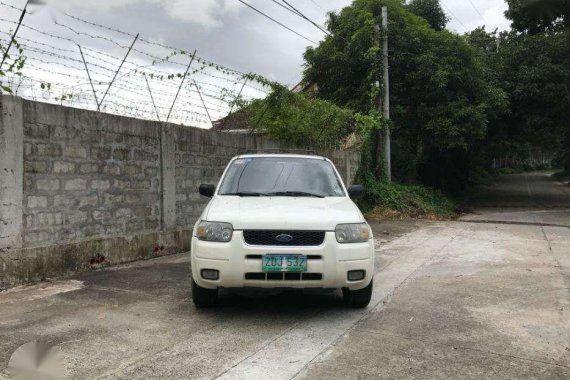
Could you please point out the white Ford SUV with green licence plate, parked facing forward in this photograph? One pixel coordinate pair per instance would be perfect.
(282, 221)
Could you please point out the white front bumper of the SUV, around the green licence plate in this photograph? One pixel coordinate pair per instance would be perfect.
(327, 264)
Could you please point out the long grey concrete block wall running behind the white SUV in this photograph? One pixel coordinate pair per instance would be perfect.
(77, 186)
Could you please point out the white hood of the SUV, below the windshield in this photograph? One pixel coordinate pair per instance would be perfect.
(283, 213)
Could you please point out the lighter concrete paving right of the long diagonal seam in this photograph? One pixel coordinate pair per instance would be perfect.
(490, 304)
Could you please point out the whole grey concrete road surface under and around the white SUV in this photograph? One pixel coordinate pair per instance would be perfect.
(451, 300)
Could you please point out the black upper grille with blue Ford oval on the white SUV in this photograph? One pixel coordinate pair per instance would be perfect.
(270, 237)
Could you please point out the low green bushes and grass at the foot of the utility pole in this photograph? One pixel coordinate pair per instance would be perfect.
(396, 201)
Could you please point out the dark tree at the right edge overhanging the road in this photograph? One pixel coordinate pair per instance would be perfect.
(532, 66)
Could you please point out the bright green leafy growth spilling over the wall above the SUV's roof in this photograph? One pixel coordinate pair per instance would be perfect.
(302, 120)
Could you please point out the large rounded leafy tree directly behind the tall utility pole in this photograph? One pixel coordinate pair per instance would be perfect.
(441, 100)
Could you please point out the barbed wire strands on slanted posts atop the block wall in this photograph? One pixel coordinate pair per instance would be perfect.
(55, 71)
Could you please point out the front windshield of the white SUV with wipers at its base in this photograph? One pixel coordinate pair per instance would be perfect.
(281, 176)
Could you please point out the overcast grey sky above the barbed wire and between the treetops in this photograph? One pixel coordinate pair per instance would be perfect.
(228, 32)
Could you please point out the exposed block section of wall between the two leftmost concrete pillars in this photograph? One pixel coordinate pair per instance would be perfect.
(87, 175)
